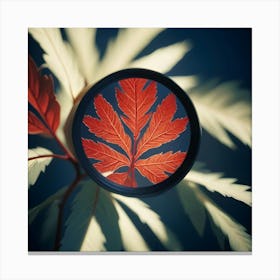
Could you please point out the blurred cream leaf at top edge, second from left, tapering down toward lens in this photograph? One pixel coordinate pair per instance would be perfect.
(83, 42)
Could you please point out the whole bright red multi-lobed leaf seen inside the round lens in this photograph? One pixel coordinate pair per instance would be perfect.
(149, 130)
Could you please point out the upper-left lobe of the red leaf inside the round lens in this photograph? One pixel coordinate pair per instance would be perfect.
(108, 126)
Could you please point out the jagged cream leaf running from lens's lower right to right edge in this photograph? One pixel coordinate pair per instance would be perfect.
(214, 182)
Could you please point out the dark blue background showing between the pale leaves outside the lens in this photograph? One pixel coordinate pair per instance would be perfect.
(223, 54)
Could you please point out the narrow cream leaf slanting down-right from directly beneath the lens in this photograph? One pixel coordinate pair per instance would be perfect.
(152, 219)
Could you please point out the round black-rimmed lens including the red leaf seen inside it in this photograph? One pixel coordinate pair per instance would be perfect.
(136, 133)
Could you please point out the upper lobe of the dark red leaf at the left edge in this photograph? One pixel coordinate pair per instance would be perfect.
(41, 96)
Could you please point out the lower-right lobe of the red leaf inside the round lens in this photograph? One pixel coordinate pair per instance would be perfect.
(155, 167)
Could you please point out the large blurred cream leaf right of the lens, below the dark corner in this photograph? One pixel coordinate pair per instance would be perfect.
(224, 108)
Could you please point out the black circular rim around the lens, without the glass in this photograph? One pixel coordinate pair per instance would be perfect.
(192, 151)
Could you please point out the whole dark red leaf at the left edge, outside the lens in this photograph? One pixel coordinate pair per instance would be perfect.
(41, 97)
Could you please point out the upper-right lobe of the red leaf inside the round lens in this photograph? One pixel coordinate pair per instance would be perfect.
(162, 129)
